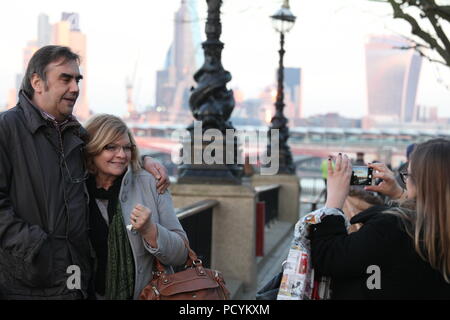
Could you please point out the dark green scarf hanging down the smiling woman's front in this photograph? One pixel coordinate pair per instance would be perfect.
(120, 268)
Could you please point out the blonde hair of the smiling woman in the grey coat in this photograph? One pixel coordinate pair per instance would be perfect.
(104, 129)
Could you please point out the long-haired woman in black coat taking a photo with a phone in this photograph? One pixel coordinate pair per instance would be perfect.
(399, 252)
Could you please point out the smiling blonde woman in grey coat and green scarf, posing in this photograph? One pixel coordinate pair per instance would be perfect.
(122, 194)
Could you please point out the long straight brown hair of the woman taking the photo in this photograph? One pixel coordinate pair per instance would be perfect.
(429, 223)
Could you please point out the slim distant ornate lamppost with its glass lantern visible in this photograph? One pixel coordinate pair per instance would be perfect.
(283, 21)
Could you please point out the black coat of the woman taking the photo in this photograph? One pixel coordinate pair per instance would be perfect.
(381, 242)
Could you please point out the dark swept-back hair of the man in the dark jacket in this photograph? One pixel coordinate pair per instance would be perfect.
(39, 62)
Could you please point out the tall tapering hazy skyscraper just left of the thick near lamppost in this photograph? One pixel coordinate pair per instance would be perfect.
(183, 59)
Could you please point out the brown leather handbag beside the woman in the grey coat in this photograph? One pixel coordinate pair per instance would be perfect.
(193, 283)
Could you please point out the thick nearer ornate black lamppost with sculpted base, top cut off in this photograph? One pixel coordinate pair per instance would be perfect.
(211, 104)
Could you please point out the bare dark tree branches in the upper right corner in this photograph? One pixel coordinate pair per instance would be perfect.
(426, 39)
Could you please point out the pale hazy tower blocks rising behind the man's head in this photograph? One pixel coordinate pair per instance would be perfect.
(66, 33)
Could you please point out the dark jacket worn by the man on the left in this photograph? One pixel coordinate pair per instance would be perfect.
(43, 206)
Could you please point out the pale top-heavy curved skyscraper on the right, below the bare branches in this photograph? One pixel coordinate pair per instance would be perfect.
(392, 80)
